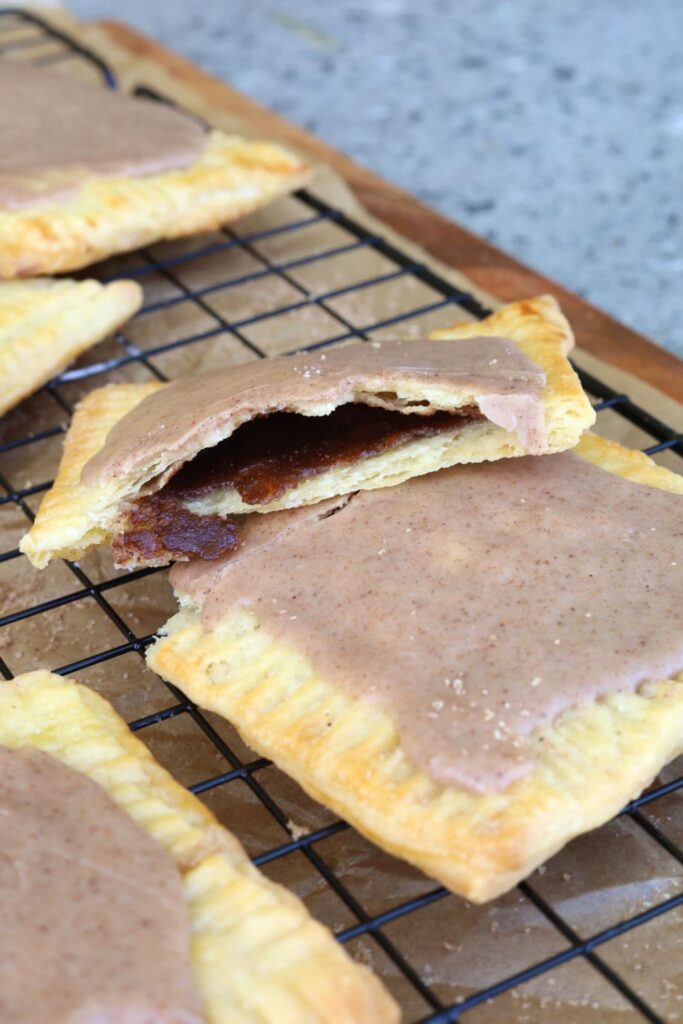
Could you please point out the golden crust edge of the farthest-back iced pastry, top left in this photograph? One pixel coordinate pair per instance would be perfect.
(111, 216)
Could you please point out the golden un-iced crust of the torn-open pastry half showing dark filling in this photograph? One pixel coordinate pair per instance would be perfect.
(73, 516)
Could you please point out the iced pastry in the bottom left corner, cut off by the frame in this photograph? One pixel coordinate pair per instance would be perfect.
(189, 932)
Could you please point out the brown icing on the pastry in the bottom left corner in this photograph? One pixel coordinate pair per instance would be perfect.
(95, 922)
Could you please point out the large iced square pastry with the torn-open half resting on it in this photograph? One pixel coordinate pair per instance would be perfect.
(473, 668)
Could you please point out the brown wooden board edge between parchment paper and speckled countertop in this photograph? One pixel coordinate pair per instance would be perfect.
(488, 267)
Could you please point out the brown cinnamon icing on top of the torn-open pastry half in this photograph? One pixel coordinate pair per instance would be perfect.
(170, 426)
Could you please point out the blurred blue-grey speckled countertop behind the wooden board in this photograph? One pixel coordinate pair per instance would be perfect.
(553, 129)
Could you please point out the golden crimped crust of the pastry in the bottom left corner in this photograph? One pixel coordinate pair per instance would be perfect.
(258, 956)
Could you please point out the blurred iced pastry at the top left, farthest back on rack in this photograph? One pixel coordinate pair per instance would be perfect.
(87, 173)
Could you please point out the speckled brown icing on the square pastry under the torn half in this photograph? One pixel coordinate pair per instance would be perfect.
(473, 605)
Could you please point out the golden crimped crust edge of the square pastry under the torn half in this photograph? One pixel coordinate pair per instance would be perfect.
(348, 754)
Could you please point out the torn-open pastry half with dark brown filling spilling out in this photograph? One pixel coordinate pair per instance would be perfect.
(159, 471)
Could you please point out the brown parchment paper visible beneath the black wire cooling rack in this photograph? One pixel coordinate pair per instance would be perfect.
(457, 949)
